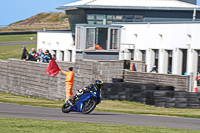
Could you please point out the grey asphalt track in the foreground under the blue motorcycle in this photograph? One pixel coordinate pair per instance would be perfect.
(30, 112)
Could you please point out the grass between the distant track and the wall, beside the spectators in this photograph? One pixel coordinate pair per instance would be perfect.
(13, 51)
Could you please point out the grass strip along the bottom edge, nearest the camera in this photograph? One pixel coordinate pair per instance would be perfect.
(13, 125)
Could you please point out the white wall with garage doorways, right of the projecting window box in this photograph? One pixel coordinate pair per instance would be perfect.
(173, 46)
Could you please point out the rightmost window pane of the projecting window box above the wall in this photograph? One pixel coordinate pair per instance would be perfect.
(114, 38)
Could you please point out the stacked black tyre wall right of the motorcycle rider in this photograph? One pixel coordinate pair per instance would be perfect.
(150, 94)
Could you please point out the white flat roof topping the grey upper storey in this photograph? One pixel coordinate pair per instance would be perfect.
(131, 4)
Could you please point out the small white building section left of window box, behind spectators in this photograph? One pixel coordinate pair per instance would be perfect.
(57, 42)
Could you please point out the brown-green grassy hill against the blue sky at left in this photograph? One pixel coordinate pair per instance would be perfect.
(41, 21)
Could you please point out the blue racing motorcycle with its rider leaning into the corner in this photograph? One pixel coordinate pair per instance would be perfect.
(85, 100)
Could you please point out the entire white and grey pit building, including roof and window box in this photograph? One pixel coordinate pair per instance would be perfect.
(160, 32)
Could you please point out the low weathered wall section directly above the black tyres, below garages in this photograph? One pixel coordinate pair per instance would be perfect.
(180, 83)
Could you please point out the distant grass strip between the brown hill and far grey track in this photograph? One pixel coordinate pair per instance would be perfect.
(17, 38)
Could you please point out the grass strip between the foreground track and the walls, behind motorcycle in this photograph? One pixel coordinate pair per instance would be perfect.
(105, 106)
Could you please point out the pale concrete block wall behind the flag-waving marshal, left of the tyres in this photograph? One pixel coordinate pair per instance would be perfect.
(29, 78)
